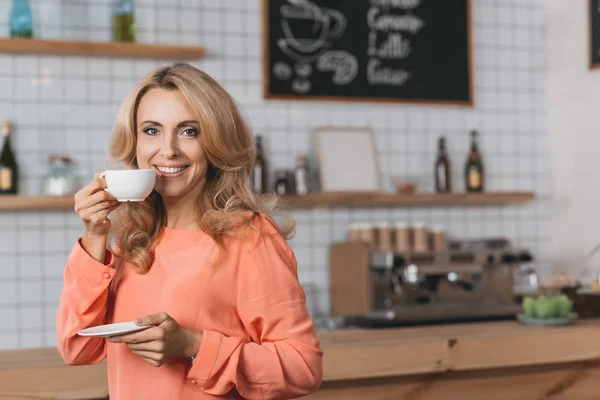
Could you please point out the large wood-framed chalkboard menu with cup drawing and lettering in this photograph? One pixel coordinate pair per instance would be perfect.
(416, 51)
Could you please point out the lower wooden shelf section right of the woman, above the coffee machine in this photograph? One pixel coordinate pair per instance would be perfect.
(367, 199)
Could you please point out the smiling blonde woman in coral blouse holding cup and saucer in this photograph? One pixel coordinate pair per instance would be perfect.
(198, 260)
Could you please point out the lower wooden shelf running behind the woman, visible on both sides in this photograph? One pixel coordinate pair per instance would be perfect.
(317, 200)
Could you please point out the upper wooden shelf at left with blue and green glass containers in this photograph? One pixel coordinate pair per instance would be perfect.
(22, 39)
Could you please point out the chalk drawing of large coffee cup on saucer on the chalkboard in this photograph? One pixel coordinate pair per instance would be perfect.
(309, 29)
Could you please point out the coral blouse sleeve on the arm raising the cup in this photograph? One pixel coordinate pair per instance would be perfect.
(83, 304)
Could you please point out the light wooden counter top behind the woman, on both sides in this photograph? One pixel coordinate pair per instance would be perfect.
(349, 354)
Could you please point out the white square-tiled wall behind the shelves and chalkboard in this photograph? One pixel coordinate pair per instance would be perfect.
(67, 105)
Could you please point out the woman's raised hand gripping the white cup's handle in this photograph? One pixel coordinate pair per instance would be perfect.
(93, 204)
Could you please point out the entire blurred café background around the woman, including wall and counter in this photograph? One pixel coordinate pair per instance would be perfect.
(438, 156)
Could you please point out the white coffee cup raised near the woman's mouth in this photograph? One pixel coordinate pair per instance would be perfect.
(130, 184)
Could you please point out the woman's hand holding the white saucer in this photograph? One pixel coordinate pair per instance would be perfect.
(163, 342)
